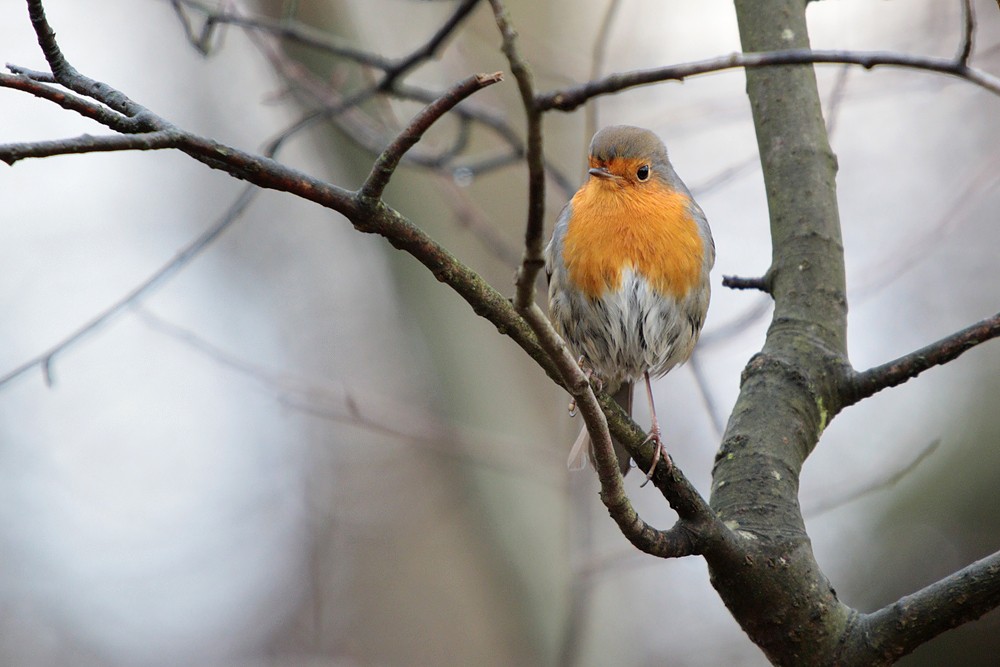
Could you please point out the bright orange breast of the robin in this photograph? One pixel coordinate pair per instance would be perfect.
(647, 228)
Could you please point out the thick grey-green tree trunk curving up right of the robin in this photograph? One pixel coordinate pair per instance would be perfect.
(778, 593)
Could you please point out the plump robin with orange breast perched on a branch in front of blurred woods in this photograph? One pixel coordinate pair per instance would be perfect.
(628, 269)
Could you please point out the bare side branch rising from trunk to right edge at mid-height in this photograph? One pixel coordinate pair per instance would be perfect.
(864, 384)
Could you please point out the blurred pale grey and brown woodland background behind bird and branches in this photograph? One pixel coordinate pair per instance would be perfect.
(300, 449)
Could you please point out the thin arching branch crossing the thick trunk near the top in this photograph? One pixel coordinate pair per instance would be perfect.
(568, 99)
